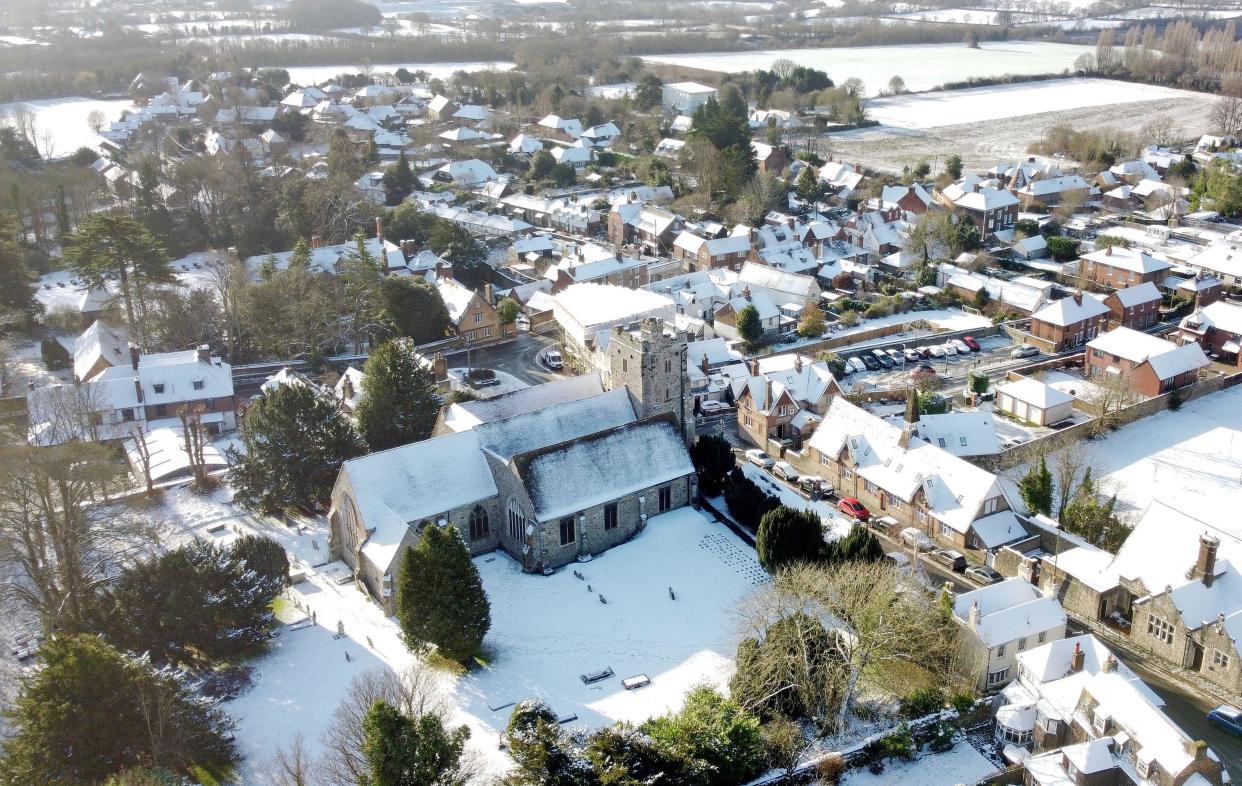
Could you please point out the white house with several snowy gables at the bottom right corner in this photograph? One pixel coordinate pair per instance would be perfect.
(1095, 722)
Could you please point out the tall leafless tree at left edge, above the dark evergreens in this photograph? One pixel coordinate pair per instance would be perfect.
(57, 542)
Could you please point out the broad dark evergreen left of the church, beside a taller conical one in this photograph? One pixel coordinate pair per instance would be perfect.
(295, 441)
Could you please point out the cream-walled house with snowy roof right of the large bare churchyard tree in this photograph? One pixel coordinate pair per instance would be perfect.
(1005, 620)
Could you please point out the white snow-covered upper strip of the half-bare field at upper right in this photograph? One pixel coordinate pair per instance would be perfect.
(1005, 101)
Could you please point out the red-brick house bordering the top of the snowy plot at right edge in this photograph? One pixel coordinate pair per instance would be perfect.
(1153, 366)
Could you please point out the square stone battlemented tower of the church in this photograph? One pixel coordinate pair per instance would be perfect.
(651, 364)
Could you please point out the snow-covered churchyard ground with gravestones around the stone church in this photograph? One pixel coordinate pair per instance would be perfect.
(546, 631)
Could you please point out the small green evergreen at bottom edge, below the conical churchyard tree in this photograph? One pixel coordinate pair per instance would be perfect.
(412, 752)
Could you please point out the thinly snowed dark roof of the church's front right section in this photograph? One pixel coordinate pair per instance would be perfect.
(569, 479)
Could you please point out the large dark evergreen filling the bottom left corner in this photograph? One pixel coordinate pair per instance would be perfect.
(89, 713)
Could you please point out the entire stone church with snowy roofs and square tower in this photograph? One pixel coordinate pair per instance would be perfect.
(551, 474)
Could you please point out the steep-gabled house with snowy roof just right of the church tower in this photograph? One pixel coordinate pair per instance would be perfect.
(782, 399)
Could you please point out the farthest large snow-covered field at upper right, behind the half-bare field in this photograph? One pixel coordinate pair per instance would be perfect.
(923, 66)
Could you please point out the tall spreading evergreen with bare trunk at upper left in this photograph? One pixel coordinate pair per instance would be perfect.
(111, 246)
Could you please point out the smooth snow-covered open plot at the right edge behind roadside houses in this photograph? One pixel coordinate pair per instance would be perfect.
(1190, 459)
